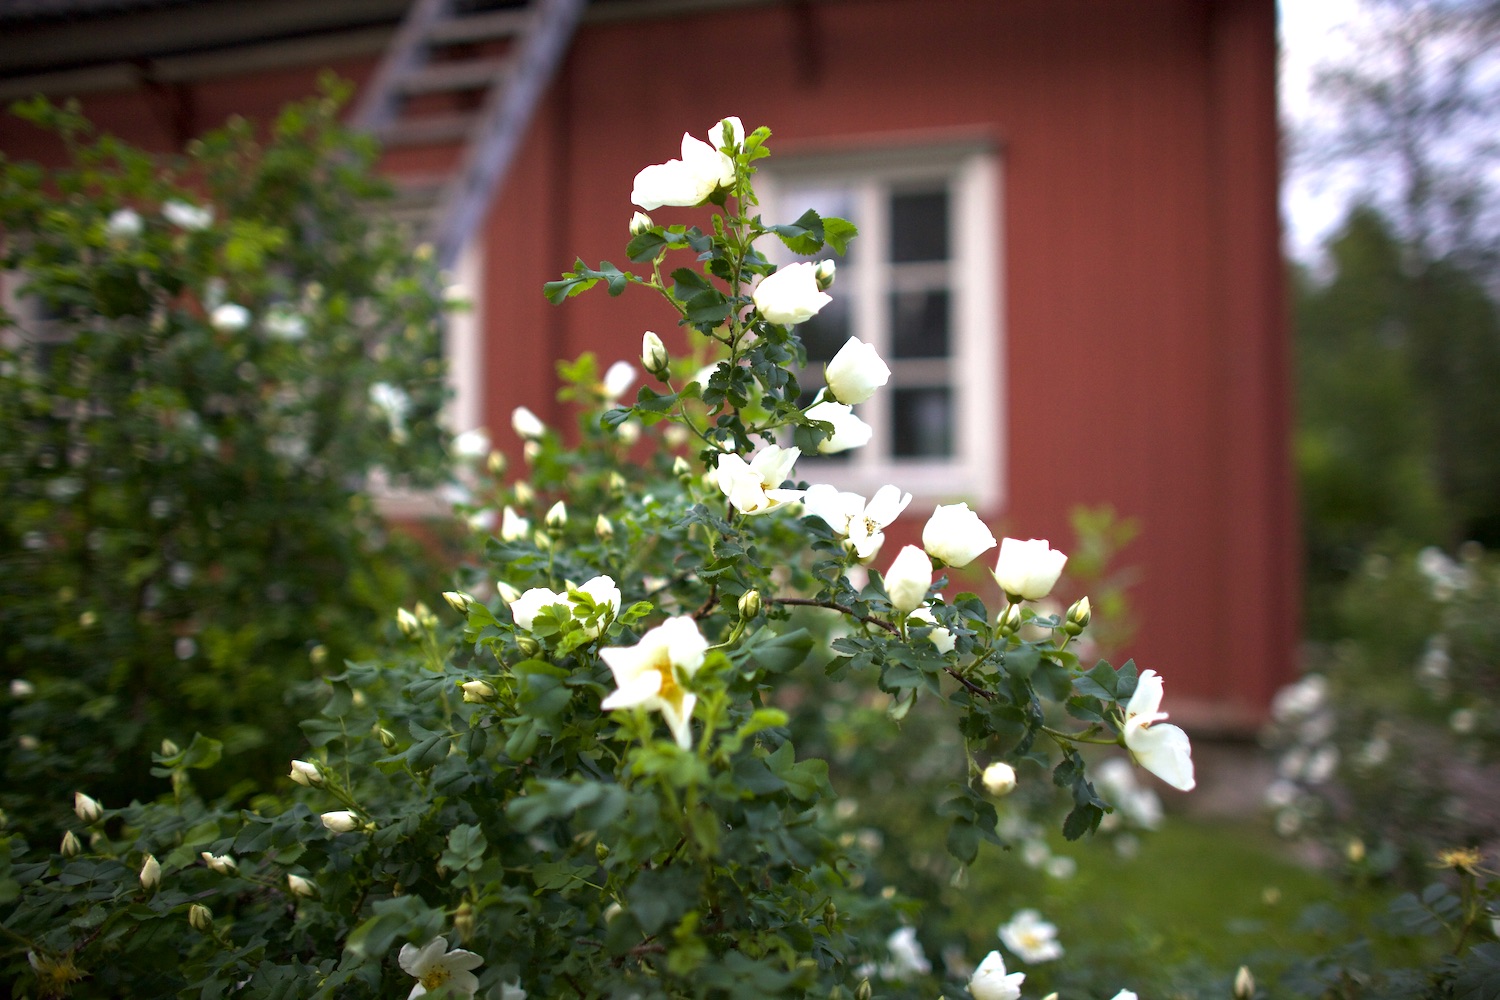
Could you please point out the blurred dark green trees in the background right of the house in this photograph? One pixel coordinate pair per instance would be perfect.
(1399, 358)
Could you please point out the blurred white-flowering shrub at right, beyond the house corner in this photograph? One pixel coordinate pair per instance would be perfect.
(1390, 752)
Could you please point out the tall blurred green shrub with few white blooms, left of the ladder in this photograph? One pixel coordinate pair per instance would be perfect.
(205, 362)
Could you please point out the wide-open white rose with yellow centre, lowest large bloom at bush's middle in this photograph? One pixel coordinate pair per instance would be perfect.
(650, 674)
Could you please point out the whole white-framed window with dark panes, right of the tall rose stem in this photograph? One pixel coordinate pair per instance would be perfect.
(920, 284)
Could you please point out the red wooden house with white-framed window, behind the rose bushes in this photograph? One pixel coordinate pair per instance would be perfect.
(1070, 233)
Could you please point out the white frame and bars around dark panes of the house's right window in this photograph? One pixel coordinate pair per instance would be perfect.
(973, 175)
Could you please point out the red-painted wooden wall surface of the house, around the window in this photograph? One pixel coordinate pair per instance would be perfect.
(1145, 340)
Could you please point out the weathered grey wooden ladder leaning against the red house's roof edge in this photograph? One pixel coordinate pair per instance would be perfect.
(460, 86)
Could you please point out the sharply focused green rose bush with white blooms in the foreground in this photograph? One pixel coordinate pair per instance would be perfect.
(592, 783)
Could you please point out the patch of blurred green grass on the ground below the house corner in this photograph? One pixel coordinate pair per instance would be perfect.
(1177, 920)
